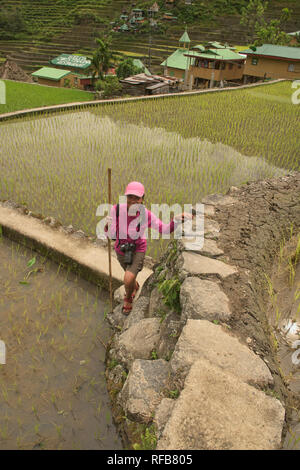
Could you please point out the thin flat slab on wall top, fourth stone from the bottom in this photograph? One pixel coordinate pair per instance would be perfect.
(193, 264)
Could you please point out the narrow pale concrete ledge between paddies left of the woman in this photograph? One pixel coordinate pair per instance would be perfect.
(80, 255)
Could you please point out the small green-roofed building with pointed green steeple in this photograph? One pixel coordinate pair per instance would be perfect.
(176, 64)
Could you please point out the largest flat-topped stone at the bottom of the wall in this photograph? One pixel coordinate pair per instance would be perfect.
(218, 411)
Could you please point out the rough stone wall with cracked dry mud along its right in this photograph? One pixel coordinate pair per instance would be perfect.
(193, 362)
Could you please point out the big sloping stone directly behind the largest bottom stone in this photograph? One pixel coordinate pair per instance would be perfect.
(201, 339)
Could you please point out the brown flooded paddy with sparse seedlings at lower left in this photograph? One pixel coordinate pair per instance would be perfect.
(52, 388)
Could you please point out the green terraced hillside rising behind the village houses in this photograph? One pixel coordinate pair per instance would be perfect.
(34, 31)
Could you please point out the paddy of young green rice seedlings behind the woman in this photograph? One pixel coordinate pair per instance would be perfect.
(160, 140)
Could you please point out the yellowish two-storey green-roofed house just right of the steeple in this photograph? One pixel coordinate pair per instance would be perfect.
(213, 64)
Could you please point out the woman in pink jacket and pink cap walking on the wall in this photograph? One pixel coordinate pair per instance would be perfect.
(128, 224)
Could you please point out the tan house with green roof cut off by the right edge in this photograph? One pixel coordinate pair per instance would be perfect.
(272, 61)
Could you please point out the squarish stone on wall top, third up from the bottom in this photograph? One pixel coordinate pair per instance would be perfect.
(203, 299)
